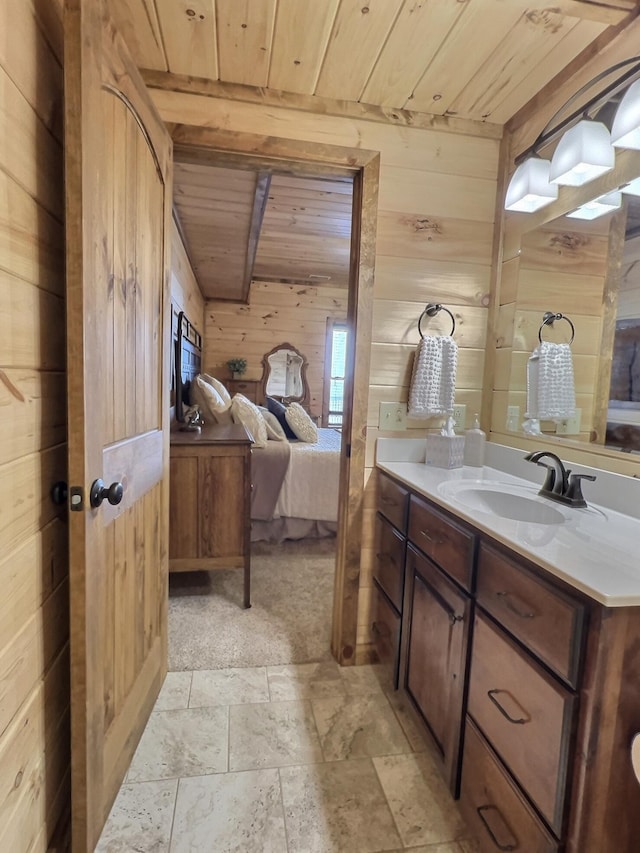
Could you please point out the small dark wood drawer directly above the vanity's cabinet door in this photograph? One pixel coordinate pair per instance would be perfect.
(450, 545)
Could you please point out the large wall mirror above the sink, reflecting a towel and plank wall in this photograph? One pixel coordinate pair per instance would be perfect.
(588, 271)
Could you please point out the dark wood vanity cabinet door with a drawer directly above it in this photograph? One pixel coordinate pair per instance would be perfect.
(437, 656)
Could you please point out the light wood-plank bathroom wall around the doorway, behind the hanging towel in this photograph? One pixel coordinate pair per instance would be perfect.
(435, 230)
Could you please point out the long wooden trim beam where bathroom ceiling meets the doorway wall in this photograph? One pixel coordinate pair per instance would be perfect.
(182, 84)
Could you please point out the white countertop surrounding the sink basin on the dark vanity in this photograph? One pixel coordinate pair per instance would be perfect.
(596, 549)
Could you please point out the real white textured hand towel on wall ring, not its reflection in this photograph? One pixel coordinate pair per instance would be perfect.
(433, 381)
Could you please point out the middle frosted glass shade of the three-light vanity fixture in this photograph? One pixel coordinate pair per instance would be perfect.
(583, 153)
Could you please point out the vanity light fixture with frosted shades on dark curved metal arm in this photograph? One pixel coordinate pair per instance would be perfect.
(584, 150)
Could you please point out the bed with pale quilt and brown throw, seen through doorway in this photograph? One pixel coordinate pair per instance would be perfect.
(295, 488)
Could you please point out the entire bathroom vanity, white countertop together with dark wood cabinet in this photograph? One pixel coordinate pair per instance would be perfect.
(518, 643)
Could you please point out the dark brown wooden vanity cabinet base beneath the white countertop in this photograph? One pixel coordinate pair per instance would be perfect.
(529, 689)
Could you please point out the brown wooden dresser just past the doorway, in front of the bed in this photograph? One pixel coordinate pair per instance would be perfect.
(210, 501)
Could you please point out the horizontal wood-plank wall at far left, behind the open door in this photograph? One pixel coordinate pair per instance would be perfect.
(34, 615)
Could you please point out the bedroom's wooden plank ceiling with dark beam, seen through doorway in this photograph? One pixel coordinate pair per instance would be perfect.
(238, 225)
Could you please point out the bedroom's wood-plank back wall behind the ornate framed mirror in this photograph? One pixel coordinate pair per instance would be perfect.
(276, 313)
